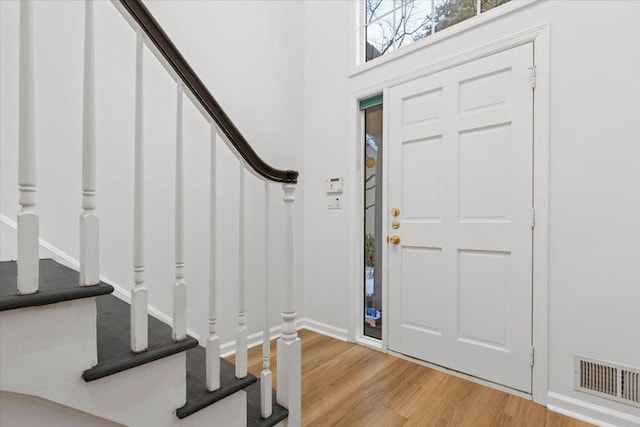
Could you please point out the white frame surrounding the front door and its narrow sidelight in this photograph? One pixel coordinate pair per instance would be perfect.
(540, 36)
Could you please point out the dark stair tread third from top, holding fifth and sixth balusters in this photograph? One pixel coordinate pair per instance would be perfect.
(197, 395)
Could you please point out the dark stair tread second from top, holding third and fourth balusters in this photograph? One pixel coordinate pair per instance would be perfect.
(114, 345)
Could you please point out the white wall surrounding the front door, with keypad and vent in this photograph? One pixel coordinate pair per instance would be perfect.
(594, 177)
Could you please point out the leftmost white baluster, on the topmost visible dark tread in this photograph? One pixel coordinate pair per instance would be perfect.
(28, 220)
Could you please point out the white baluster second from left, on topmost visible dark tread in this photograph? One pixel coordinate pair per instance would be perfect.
(89, 221)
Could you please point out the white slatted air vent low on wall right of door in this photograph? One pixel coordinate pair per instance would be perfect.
(608, 380)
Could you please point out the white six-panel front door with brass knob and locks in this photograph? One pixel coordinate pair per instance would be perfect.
(461, 175)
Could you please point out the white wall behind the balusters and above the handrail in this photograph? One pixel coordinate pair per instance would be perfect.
(249, 54)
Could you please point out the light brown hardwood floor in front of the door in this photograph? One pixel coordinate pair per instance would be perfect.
(346, 384)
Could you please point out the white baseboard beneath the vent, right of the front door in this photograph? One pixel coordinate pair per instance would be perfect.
(590, 412)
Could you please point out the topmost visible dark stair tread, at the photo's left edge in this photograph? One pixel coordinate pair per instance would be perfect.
(57, 283)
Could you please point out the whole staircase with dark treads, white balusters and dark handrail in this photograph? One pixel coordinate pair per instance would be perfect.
(73, 352)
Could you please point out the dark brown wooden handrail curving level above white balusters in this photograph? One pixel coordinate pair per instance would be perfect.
(165, 46)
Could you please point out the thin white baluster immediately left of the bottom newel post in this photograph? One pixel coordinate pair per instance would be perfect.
(265, 375)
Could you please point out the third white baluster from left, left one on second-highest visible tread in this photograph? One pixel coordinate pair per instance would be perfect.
(139, 327)
